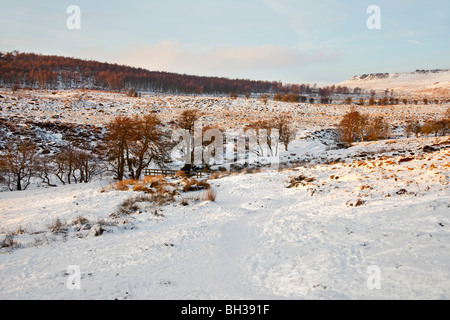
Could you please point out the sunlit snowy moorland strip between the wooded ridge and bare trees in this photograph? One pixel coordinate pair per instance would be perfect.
(97, 108)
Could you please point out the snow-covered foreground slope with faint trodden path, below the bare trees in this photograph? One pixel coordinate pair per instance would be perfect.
(376, 213)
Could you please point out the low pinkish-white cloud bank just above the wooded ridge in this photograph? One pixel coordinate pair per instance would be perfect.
(173, 56)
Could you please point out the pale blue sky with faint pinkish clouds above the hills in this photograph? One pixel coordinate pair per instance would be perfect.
(293, 41)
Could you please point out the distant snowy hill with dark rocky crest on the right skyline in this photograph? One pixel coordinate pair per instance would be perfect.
(426, 82)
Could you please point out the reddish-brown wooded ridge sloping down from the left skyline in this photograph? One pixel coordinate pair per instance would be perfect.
(54, 72)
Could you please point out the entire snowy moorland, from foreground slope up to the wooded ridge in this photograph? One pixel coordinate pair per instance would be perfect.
(332, 223)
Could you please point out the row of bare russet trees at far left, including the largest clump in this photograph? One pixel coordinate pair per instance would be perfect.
(129, 146)
